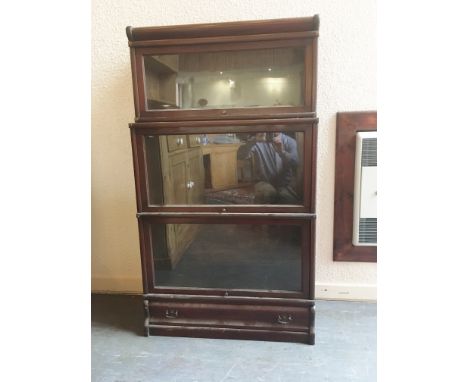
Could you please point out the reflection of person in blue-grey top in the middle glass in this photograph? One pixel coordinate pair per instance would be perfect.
(275, 157)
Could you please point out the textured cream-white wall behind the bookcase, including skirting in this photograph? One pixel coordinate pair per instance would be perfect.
(346, 82)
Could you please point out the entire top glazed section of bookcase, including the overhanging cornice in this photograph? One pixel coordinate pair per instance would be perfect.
(226, 73)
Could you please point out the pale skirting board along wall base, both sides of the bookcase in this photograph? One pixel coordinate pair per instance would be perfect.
(322, 291)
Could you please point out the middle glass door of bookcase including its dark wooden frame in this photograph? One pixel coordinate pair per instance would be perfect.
(262, 167)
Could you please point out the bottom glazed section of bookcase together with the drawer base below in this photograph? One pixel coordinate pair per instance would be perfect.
(234, 278)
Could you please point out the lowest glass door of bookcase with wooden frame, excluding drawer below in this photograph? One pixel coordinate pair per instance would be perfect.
(228, 255)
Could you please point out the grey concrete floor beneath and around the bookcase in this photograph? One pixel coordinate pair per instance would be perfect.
(345, 349)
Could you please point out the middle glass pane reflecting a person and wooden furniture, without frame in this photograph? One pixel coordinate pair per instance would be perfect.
(242, 168)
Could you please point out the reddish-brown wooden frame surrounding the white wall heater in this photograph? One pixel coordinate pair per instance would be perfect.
(347, 125)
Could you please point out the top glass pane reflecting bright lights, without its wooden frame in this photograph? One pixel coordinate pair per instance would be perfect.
(251, 78)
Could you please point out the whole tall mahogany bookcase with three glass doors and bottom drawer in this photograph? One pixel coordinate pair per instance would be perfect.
(231, 257)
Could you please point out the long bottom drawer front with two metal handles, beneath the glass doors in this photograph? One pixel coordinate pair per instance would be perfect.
(266, 317)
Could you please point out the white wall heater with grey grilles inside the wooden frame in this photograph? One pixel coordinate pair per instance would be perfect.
(365, 190)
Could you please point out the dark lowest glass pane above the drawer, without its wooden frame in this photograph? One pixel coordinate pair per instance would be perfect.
(227, 256)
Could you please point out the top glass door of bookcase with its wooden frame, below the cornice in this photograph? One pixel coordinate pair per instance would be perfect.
(222, 80)
